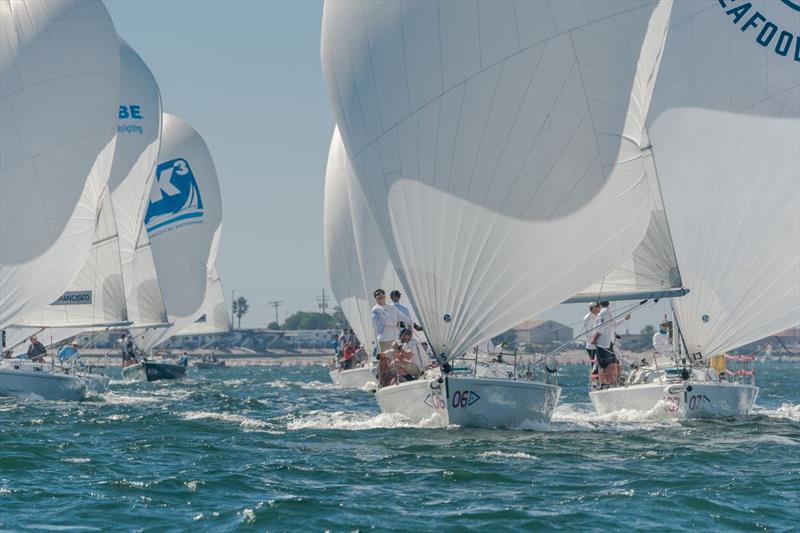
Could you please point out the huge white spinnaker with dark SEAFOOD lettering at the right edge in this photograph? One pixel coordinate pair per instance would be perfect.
(725, 130)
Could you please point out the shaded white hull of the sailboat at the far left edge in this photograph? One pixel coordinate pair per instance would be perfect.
(39, 381)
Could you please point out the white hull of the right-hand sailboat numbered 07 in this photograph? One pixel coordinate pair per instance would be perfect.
(679, 400)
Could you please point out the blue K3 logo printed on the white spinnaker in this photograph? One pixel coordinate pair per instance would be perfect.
(175, 197)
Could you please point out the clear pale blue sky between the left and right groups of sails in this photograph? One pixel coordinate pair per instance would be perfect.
(247, 76)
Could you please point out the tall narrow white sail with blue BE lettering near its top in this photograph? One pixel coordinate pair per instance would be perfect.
(138, 140)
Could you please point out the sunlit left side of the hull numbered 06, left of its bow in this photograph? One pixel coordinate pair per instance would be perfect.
(422, 400)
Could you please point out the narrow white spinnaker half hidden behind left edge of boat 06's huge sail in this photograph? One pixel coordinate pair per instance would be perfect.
(341, 253)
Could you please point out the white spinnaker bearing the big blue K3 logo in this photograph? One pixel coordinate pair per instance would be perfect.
(183, 220)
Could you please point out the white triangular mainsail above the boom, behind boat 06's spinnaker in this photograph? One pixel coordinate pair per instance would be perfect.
(651, 271)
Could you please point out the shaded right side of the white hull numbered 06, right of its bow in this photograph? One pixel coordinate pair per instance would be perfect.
(492, 403)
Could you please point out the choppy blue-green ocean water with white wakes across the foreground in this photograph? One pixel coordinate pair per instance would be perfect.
(279, 449)
